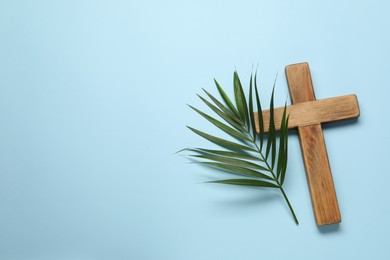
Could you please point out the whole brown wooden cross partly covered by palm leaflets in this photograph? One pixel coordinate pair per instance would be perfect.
(307, 114)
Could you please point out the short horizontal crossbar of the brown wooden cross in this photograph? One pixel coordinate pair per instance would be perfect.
(314, 112)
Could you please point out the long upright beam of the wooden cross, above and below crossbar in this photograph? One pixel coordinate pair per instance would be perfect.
(318, 173)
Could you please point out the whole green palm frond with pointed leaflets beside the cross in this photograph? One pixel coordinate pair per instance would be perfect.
(249, 158)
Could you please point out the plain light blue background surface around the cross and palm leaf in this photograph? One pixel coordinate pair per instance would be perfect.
(92, 108)
